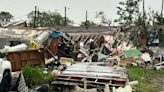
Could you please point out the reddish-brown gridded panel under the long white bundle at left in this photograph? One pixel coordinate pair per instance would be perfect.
(20, 59)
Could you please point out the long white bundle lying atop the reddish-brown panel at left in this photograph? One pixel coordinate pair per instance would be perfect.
(20, 47)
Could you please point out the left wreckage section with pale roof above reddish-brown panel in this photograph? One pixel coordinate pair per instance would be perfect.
(23, 46)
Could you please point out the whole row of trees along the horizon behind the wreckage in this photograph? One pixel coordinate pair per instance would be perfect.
(128, 12)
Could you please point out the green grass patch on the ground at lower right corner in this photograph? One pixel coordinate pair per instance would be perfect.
(144, 77)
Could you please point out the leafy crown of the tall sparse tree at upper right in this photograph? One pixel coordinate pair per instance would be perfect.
(128, 11)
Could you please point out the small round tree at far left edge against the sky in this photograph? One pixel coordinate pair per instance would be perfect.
(5, 17)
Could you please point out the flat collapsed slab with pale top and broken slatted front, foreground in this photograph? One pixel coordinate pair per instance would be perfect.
(92, 75)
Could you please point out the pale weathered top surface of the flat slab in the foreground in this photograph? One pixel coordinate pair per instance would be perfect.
(95, 69)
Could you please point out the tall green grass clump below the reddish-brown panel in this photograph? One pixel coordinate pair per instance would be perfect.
(34, 76)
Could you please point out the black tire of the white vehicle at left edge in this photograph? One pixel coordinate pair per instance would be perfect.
(5, 83)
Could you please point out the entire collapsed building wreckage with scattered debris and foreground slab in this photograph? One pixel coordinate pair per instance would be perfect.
(99, 68)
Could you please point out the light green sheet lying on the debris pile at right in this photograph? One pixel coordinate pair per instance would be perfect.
(132, 53)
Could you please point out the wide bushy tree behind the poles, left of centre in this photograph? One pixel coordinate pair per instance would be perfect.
(48, 19)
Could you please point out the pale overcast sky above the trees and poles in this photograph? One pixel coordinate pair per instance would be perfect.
(76, 8)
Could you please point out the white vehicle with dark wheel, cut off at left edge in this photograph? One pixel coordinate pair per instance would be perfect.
(5, 75)
